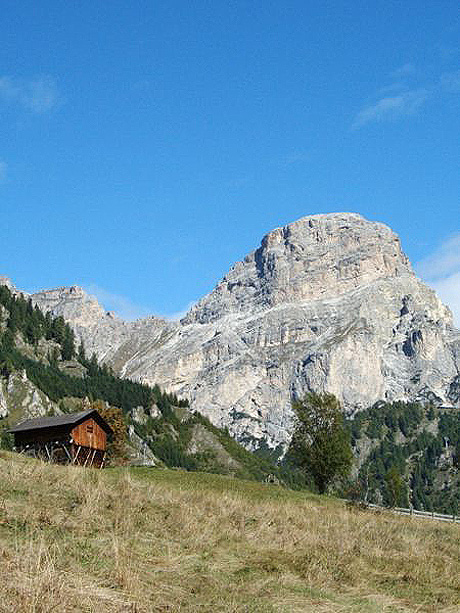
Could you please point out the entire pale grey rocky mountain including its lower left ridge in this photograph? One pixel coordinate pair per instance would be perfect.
(326, 303)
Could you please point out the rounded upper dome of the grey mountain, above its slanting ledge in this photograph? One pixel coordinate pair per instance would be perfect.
(314, 258)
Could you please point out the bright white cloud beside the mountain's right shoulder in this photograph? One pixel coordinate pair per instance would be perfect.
(441, 270)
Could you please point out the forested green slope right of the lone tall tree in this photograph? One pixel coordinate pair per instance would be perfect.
(407, 454)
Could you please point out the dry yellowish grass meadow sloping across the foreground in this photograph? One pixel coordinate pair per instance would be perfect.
(162, 541)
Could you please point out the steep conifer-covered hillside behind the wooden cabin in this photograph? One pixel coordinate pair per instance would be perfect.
(41, 348)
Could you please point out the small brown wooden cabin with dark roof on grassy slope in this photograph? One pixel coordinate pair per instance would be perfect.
(75, 438)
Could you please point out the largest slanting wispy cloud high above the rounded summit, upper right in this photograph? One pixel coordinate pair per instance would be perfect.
(392, 107)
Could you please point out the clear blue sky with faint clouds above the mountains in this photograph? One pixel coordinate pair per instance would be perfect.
(146, 146)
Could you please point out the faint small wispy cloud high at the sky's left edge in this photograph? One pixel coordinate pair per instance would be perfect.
(37, 95)
